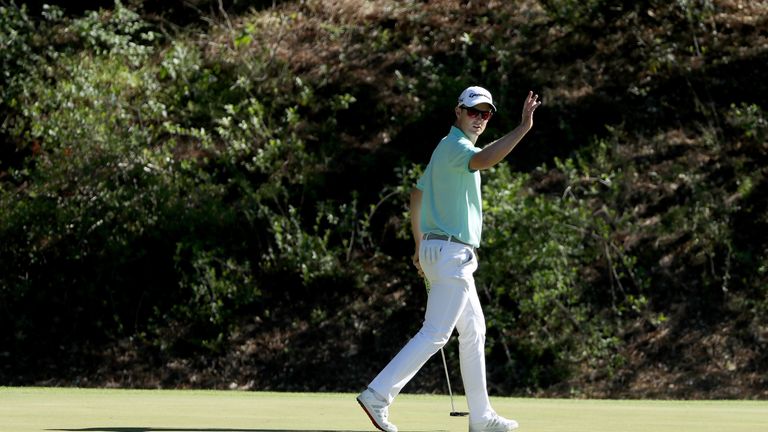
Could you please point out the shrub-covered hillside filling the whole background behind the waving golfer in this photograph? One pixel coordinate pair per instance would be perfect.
(201, 196)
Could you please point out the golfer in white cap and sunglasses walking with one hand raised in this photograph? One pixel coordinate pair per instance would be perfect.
(446, 220)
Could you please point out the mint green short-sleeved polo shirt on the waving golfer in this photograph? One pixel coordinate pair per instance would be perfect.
(451, 203)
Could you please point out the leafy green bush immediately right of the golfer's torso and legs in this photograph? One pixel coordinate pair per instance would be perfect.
(546, 309)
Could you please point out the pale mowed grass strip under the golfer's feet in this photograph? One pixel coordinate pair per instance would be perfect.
(94, 410)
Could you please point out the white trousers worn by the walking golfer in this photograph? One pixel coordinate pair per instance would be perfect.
(452, 303)
